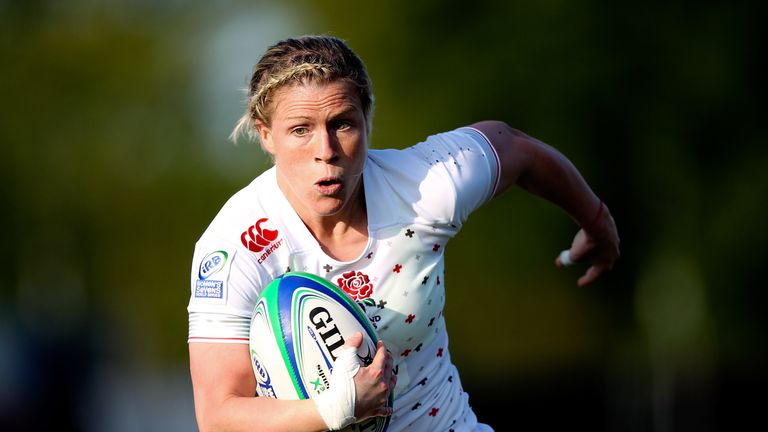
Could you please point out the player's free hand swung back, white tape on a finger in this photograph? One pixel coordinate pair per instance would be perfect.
(599, 246)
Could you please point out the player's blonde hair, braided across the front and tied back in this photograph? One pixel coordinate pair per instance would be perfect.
(309, 58)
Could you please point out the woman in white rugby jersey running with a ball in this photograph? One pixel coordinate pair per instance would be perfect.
(375, 222)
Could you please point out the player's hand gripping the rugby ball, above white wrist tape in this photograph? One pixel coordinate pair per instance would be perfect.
(374, 382)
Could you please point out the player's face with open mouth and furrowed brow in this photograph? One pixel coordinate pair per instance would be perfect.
(318, 140)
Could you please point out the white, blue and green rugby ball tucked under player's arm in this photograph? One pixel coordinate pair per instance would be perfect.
(299, 323)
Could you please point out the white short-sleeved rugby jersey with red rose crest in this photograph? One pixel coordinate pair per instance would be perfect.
(417, 199)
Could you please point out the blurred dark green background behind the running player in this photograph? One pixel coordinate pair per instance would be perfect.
(114, 127)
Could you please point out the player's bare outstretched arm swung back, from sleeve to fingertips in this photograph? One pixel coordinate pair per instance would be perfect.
(541, 170)
